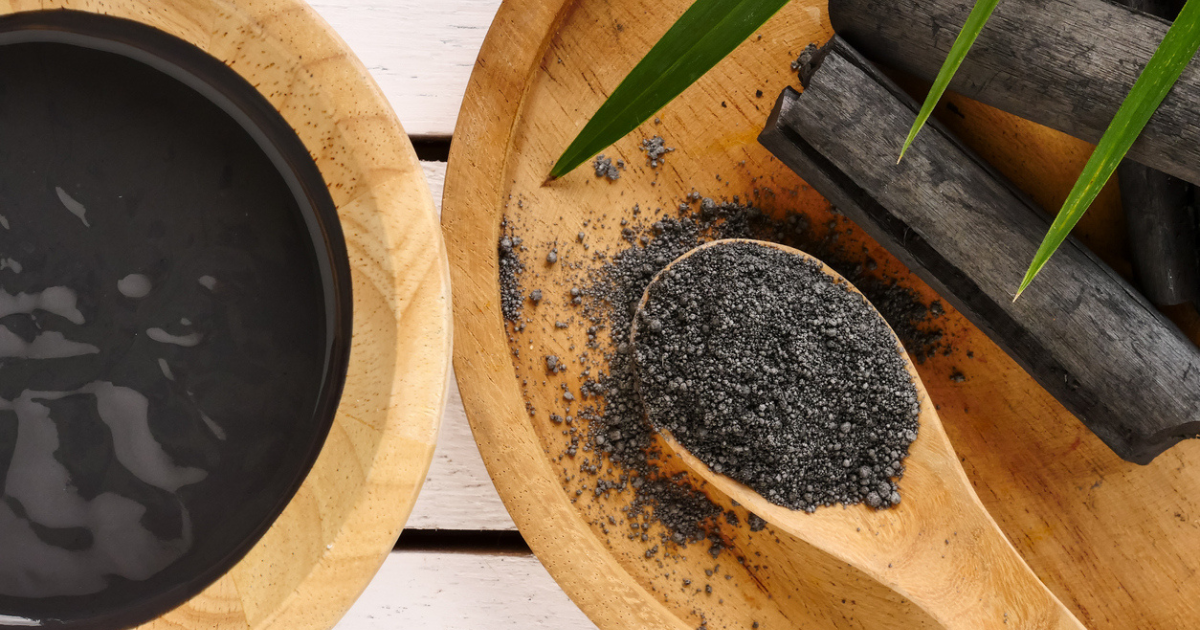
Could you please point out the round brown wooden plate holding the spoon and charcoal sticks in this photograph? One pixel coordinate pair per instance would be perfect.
(1119, 543)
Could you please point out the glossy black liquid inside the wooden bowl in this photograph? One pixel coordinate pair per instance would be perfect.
(163, 327)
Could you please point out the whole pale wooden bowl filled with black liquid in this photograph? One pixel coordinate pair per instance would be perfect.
(293, 547)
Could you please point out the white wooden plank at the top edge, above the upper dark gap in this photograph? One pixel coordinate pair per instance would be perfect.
(421, 52)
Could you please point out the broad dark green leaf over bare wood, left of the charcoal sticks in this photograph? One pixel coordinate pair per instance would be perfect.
(698, 41)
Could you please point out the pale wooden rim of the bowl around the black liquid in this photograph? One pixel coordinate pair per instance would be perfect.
(331, 541)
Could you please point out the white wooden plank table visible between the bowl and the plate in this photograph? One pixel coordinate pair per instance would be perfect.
(460, 565)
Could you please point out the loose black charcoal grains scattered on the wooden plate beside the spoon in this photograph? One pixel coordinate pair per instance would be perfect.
(607, 441)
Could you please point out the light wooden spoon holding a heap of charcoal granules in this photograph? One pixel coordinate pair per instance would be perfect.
(939, 548)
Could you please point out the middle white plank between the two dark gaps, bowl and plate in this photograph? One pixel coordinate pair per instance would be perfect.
(458, 493)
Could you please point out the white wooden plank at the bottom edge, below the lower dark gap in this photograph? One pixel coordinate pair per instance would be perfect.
(464, 592)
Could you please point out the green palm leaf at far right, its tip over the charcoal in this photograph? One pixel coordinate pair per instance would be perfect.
(1156, 80)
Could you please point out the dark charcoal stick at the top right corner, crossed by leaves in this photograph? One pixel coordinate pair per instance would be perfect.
(1066, 64)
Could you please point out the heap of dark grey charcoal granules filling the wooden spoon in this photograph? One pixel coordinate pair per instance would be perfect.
(776, 376)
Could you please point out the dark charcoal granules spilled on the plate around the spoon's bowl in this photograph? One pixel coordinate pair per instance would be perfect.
(610, 292)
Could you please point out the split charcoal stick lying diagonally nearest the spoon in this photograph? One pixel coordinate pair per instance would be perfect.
(1082, 332)
